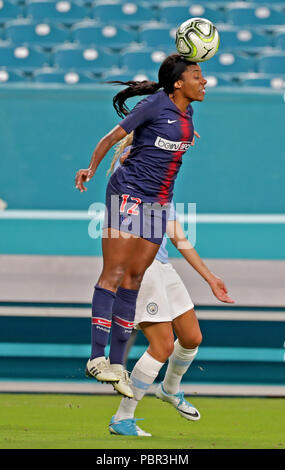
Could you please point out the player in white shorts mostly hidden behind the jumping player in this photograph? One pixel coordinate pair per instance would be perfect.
(164, 305)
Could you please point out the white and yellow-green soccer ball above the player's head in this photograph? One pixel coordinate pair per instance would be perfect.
(197, 39)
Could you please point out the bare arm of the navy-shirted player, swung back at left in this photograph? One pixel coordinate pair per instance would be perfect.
(104, 145)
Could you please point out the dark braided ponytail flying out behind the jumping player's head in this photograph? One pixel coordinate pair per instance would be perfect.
(145, 87)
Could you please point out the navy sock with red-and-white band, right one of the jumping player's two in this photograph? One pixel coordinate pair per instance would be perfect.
(124, 309)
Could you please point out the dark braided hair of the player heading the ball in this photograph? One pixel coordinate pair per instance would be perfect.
(170, 71)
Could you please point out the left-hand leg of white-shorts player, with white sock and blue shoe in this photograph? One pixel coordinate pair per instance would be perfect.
(145, 371)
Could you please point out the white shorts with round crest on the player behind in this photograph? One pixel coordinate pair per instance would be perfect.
(162, 295)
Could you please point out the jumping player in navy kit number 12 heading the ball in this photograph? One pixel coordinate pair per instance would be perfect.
(137, 202)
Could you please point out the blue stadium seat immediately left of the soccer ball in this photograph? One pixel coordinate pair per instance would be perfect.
(155, 35)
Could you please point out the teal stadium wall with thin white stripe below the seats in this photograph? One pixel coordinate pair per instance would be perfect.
(236, 168)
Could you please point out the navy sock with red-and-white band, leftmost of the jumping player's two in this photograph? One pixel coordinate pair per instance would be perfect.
(102, 305)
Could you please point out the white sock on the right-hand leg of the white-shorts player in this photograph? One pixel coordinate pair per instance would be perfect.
(178, 363)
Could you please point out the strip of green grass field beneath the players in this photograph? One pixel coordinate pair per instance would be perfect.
(81, 422)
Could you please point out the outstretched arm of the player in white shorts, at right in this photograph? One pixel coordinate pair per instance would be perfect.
(177, 236)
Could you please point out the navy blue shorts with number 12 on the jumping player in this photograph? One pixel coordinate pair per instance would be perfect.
(127, 213)
